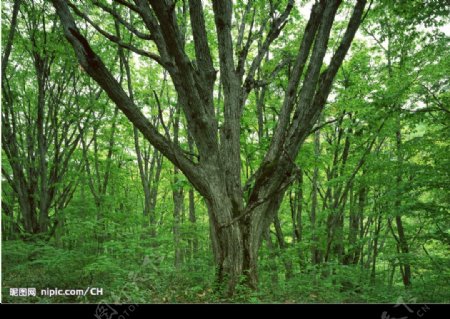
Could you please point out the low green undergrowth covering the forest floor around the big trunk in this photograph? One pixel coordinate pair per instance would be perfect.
(134, 274)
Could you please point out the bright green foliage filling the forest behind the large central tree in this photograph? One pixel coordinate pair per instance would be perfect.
(378, 163)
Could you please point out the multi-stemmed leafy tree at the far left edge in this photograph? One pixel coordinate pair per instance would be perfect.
(40, 119)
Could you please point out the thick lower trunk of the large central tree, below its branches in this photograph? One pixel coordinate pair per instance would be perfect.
(236, 242)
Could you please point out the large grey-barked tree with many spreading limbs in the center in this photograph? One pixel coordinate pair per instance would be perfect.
(237, 221)
